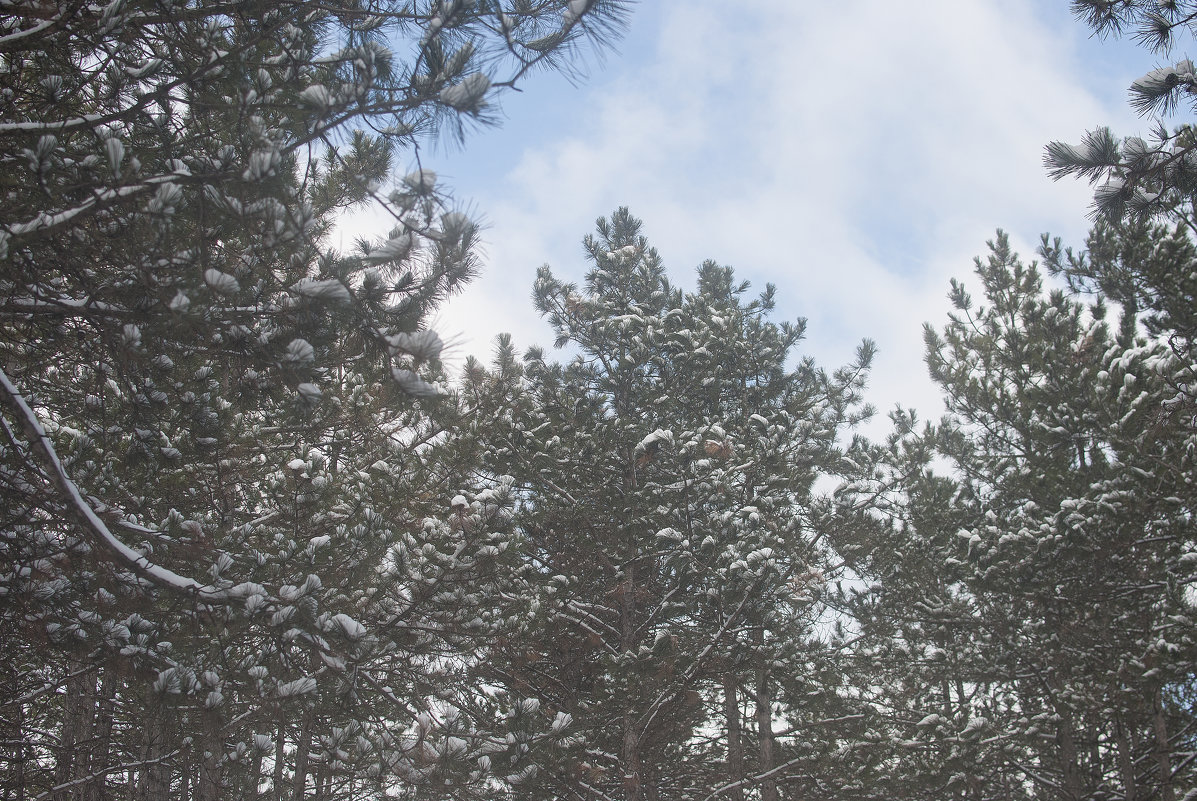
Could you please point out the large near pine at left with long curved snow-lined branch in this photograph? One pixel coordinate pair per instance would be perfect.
(212, 429)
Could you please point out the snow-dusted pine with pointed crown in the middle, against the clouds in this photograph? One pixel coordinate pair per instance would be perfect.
(666, 497)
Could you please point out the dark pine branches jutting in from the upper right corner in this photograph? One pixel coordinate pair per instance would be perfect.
(1146, 198)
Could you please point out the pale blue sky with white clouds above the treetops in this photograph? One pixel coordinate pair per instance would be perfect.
(858, 155)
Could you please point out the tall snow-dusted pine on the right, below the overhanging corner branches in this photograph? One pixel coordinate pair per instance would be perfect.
(1030, 626)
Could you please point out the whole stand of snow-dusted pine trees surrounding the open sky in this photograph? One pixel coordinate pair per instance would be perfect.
(259, 542)
